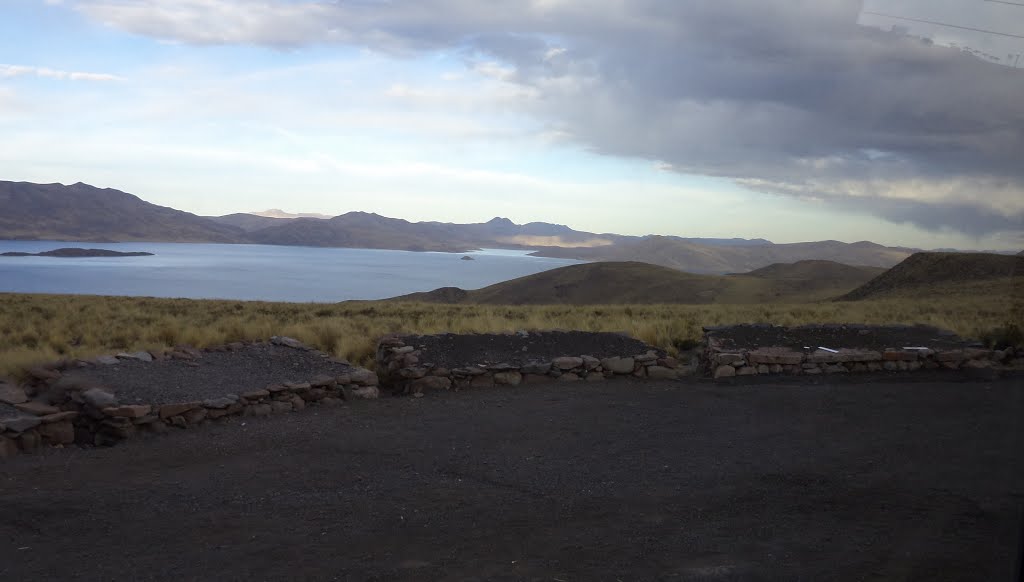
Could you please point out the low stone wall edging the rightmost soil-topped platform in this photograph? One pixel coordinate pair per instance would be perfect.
(720, 361)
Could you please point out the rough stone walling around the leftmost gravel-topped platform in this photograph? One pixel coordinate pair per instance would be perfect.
(51, 411)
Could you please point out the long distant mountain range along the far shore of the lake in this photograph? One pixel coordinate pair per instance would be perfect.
(82, 213)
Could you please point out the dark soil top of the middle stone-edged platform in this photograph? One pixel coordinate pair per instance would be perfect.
(450, 351)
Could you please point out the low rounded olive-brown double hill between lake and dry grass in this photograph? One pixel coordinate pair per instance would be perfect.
(639, 283)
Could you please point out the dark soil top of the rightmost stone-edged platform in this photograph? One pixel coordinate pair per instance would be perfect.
(836, 337)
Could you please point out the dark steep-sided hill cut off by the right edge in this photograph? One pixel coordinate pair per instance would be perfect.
(948, 274)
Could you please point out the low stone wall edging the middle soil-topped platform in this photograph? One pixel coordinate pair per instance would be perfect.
(404, 369)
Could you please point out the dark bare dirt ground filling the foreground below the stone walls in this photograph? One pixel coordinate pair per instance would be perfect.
(837, 480)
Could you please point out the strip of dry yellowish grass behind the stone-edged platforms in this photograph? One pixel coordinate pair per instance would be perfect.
(35, 329)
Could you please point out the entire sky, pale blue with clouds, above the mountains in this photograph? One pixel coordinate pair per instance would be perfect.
(897, 121)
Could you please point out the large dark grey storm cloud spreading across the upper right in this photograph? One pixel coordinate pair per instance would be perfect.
(787, 97)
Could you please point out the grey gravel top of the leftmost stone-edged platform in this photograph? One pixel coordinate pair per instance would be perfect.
(214, 376)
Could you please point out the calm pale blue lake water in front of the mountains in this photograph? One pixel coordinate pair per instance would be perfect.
(258, 272)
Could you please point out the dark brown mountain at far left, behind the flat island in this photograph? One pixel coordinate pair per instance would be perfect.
(82, 213)
